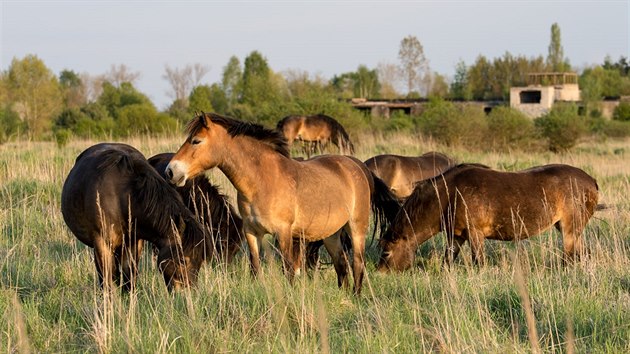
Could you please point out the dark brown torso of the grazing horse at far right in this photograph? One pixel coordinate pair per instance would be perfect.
(504, 205)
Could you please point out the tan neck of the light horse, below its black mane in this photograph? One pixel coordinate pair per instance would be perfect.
(244, 163)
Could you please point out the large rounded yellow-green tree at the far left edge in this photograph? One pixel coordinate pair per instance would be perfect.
(34, 93)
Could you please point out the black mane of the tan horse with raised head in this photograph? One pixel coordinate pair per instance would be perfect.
(235, 127)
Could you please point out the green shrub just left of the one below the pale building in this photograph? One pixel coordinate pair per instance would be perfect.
(509, 129)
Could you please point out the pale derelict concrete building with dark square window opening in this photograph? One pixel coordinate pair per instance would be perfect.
(543, 90)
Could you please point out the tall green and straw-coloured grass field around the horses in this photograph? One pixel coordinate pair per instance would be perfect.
(522, 300)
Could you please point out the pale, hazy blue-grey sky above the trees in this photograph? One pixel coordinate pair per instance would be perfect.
(324, 38)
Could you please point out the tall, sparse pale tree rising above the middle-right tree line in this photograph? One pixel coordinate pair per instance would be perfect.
(413, 63)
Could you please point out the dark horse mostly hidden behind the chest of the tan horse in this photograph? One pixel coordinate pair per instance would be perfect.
(212, 208)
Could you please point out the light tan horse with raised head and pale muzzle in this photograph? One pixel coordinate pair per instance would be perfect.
(310, 200)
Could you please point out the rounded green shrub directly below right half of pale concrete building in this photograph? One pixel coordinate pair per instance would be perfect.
(561, 127)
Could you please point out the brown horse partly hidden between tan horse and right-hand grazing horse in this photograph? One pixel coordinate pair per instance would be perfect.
(401, 173)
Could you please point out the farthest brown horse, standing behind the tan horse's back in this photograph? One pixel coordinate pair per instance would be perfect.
(316, 131)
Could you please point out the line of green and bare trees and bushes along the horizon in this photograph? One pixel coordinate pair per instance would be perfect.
(38, 104)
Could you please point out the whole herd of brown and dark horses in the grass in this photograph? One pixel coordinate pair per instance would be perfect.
(114, 199)
